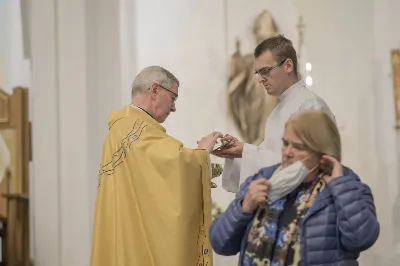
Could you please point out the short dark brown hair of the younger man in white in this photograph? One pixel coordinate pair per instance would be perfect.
(281, 47)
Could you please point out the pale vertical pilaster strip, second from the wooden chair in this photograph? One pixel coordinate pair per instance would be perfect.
(73, 135)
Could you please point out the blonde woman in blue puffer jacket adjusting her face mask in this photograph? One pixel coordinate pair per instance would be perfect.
(308, 210)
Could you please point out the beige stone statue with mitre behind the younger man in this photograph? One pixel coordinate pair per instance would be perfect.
(249, 102)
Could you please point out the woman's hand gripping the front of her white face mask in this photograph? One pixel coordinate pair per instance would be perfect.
(256, 195)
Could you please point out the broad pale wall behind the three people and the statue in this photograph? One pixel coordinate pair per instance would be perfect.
(348, 44)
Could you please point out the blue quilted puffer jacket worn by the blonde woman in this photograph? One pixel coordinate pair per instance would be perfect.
(340, 224)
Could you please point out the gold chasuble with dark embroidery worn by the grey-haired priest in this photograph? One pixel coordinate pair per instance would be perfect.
(153, 204)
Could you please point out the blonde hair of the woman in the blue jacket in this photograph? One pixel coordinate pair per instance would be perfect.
(318, 132)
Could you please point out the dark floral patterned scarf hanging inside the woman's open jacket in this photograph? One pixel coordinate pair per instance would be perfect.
(268, 245)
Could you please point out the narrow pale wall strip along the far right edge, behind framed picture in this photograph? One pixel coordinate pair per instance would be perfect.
(387, 37)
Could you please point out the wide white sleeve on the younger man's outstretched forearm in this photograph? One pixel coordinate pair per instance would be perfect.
(253, 159)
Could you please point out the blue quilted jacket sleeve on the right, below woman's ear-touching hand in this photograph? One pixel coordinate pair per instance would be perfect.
(357, 222)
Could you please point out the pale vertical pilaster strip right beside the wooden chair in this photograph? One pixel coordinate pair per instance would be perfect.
(44, 194)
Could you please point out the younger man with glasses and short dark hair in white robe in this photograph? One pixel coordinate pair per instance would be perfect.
(276, 69)
